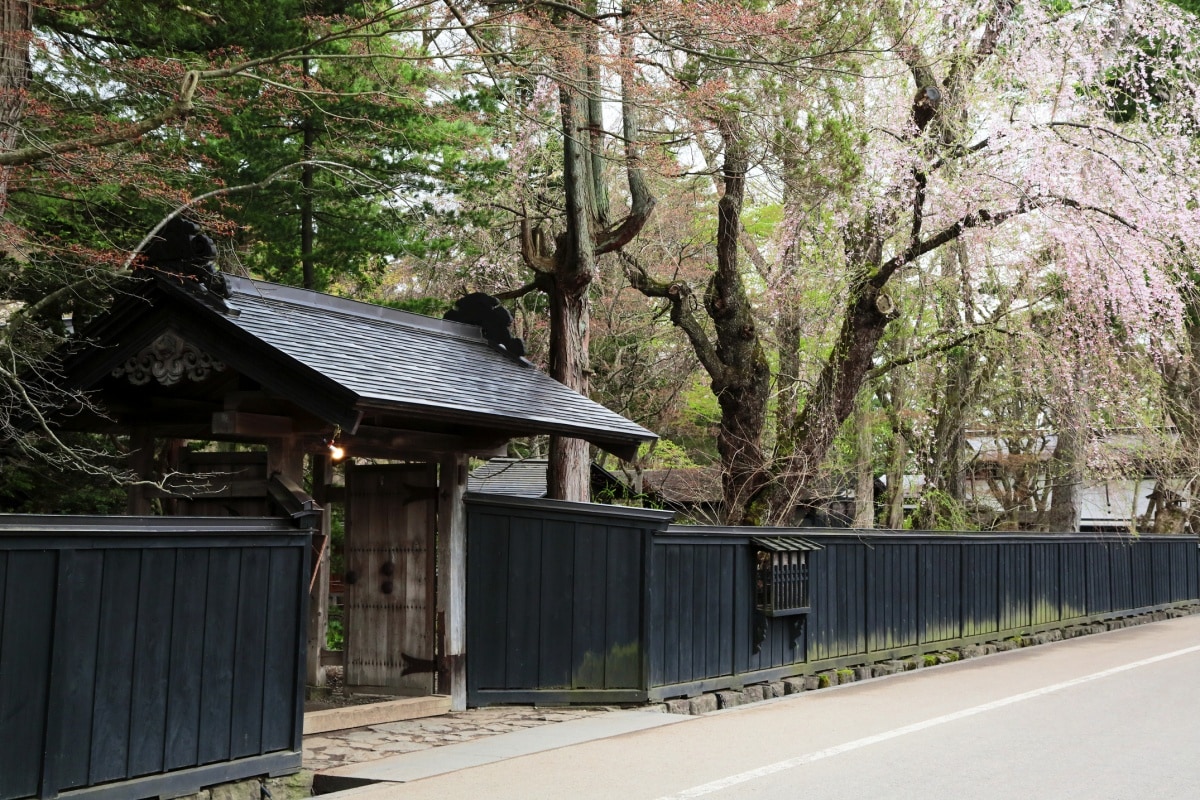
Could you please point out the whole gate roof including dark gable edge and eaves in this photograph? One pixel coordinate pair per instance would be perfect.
(339, 358)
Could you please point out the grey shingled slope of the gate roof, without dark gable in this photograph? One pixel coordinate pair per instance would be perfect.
(431, 368)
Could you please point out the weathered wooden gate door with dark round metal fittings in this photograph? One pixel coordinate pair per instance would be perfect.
(389, 596)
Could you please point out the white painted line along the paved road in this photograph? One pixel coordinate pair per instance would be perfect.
(817, 756)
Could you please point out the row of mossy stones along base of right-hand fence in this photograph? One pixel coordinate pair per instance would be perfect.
(711, 702)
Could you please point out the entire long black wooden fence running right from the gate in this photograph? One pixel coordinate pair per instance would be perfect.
(593, 604)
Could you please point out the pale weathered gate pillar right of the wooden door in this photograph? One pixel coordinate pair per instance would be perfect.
(453, 580)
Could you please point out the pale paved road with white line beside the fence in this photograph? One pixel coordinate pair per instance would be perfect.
(1109, 717)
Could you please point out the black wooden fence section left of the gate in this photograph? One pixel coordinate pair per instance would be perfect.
(149, 657)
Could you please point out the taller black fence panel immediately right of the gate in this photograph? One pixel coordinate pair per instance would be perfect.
(555, 600)
